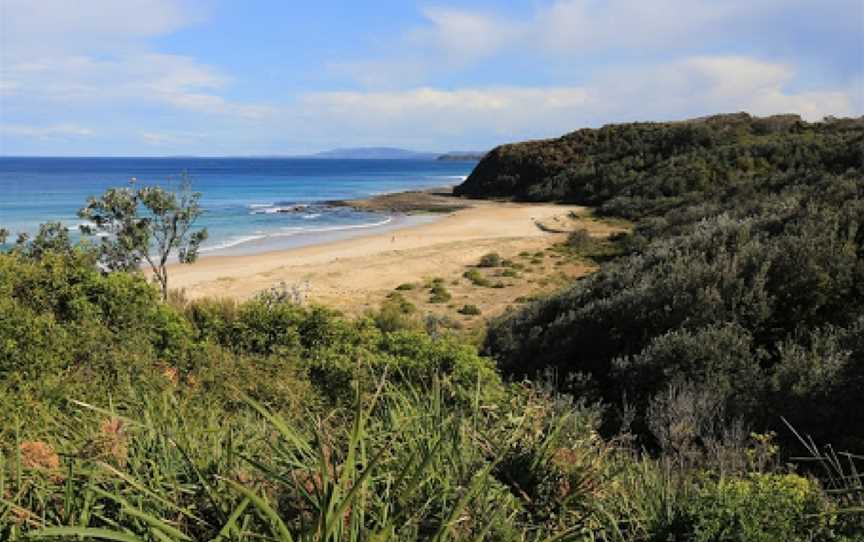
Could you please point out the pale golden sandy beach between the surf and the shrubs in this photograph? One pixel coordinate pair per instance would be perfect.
(355, 274)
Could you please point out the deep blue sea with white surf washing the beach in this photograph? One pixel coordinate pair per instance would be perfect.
(251, 204)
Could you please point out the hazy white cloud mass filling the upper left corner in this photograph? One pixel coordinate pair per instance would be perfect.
(94, 54)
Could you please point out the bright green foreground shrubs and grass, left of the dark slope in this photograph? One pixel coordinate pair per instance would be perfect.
(122, 414)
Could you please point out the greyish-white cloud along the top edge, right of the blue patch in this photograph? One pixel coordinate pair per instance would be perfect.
(572, 36)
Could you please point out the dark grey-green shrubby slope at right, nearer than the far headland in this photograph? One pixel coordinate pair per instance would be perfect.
(756, 300)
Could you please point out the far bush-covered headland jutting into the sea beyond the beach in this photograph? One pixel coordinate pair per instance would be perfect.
(646, 169)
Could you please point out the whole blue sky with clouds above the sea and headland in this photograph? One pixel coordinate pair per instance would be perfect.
(281, 77)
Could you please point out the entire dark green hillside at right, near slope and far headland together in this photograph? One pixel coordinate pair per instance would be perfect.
(742, 283)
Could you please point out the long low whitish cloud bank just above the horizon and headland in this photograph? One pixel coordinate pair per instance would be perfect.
(690, 87)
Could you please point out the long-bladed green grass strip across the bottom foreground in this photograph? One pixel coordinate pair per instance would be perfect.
(402, 461)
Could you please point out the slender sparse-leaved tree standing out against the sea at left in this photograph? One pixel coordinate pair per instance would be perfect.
(146, 223)
